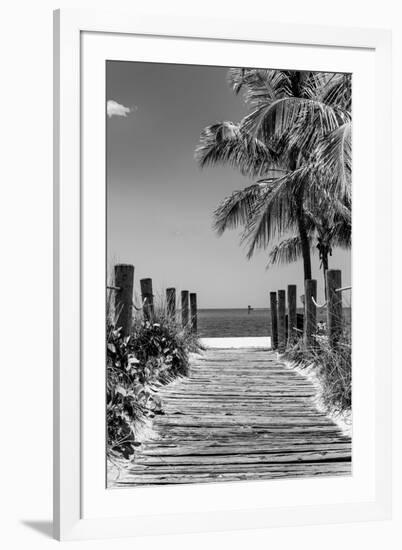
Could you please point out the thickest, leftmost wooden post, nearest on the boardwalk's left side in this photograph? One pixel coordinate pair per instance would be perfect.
(123, 301)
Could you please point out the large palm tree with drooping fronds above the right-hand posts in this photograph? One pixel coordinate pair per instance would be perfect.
(292, 112)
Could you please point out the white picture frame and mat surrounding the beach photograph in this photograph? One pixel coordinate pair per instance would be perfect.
(78, 483)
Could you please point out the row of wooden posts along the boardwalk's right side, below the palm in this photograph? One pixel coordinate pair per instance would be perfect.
(285, 321)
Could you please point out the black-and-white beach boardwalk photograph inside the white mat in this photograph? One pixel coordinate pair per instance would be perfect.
(228, 272)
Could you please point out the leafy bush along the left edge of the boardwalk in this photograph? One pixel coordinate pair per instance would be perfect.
(154, 353)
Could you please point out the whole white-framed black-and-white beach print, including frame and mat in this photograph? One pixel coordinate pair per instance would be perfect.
(222, 356)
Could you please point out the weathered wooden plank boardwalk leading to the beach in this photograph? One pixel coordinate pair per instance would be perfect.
(240, 415)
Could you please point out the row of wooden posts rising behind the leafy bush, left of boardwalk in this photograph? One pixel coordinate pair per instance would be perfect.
(124, 304)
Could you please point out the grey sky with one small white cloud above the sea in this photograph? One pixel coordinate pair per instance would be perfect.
(160, 204)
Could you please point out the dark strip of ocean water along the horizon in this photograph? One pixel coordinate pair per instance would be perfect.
(221, 323)
